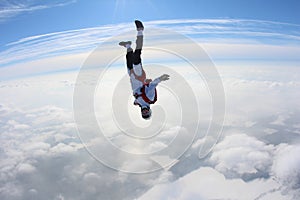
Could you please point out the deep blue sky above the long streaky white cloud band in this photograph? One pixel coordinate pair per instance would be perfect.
(19, 19)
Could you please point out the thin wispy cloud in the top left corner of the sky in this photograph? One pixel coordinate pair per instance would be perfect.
(10, 9)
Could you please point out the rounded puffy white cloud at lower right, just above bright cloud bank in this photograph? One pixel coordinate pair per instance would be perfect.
(240, 155)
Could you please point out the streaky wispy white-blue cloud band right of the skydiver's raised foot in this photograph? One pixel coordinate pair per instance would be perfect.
(233, 28)
